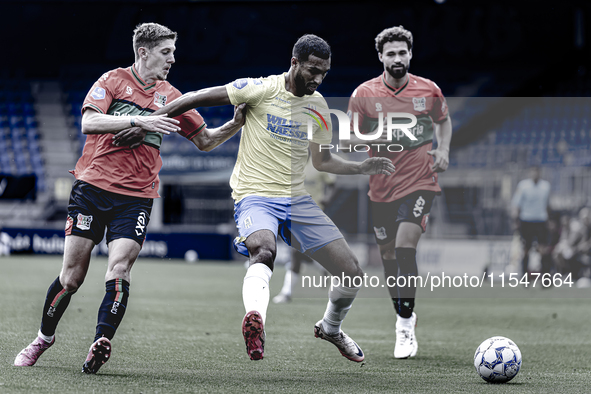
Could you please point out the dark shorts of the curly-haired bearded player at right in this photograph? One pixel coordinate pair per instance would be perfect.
(386, 216)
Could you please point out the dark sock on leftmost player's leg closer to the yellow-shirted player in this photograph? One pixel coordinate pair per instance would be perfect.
(112, 308)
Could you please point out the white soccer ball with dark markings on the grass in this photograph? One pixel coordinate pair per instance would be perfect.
(497, 360)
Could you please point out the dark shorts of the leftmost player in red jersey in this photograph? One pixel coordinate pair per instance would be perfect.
(91, 209)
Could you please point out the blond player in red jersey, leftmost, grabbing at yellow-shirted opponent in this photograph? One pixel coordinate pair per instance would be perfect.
(115, 184)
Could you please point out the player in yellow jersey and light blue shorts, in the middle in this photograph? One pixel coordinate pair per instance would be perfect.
(268, 186)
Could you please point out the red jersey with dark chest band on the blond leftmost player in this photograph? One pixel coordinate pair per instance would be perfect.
(132, 172)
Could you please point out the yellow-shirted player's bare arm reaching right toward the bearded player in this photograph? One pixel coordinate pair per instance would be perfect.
(324, 160)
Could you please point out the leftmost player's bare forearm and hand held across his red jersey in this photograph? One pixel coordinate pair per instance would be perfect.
(94, 122)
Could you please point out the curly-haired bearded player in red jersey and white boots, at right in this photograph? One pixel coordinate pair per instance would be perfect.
(401, 203)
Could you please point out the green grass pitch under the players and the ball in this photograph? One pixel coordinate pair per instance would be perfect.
(182, 334)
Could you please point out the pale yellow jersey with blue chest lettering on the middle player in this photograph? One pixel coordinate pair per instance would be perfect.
(274, 143)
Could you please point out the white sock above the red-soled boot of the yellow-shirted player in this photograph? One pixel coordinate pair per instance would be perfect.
(255, 289)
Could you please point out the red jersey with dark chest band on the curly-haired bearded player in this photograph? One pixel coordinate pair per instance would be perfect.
(418, 96)
